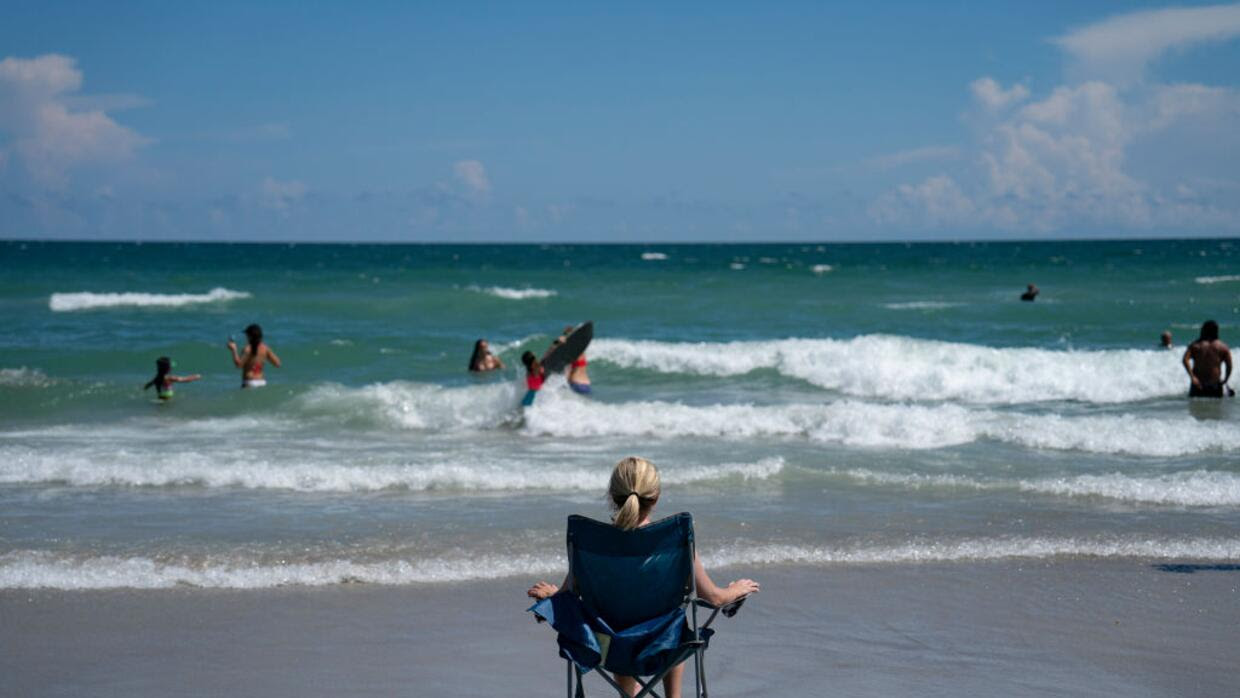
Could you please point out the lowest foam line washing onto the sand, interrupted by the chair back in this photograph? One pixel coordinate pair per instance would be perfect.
(35, 570)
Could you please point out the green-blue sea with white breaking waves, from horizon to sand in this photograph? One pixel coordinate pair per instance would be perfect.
(813, 405)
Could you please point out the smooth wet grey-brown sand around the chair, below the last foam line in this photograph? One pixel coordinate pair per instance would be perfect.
(1077, 628)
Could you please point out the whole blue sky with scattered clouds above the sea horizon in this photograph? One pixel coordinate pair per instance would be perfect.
(621, 122)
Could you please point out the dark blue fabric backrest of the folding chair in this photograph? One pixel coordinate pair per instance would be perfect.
(629, 577)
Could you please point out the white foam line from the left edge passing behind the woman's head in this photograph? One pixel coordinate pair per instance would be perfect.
(309, 472)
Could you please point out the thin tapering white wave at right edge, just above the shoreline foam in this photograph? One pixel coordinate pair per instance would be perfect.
(1193, 489)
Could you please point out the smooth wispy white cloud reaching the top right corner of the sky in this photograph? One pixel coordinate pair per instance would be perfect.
(1120, 48)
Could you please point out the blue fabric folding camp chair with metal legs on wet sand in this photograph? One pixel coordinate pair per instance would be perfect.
(631, 604)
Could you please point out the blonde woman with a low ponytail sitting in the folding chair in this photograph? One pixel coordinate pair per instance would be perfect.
(633, 494)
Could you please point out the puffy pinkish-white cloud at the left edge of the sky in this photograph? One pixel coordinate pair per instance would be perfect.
(51, 132)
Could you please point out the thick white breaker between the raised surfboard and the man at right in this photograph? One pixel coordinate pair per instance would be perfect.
(892, 368)
